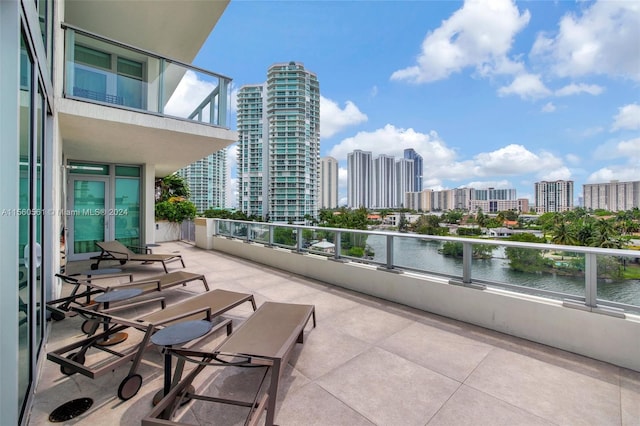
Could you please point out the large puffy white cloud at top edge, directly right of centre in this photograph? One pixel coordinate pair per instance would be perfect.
(479, 35)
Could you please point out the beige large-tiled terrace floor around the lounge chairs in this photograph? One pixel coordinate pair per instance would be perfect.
(369, 362)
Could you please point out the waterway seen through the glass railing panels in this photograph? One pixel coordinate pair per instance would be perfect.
(423, 255)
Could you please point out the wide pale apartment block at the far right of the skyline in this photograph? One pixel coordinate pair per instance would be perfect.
(614, 196)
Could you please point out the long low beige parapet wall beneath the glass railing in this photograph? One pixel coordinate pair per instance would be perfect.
(607, 338)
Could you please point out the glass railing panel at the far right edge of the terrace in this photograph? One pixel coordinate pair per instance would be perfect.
(619, 279)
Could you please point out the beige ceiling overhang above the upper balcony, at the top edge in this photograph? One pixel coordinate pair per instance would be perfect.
(176, 29)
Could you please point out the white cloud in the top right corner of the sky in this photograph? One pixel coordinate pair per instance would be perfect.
(602, 40)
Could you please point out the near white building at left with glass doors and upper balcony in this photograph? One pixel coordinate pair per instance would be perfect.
(93, 111)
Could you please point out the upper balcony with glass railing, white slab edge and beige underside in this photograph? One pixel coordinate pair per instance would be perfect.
(127, 104)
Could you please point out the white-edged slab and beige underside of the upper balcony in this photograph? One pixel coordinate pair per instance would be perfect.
(103, 134)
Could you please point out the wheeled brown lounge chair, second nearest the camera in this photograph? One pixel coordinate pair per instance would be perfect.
(209, 305)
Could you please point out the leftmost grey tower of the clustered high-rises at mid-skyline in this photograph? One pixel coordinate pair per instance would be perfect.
(359, 175)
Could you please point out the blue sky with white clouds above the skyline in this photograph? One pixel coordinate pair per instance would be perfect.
(494, 93)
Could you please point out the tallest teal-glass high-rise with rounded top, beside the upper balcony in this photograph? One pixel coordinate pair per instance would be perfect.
(279, 145)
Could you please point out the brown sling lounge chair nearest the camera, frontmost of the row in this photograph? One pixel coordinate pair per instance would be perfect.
(266, 339)
